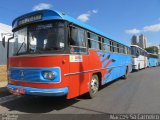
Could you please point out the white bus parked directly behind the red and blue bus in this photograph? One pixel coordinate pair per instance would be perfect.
(139, 57)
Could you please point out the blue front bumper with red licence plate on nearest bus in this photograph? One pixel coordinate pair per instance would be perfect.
(21, 90)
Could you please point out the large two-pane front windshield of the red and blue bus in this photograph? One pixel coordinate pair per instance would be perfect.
(40, 38)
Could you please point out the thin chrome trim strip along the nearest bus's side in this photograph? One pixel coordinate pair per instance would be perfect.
(92, 70)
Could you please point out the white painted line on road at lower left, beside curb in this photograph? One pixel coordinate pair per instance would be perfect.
(8, 98)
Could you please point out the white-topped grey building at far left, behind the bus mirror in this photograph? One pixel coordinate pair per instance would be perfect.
(5, 29)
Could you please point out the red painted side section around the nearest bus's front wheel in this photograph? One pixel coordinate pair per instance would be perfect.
(79, 83)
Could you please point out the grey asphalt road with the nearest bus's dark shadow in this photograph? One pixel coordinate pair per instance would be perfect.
(140, 93)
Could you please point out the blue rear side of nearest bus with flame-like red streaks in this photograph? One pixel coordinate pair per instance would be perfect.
(115, 65)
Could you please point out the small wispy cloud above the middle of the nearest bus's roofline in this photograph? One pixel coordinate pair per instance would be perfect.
(85, 16)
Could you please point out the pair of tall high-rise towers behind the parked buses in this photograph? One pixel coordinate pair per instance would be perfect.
(141, 41)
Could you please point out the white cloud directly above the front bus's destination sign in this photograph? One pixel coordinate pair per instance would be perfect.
(42, 6)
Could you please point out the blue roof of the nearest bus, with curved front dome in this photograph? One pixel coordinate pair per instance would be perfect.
(55, 15)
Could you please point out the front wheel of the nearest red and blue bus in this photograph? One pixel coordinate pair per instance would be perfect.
(93, 87)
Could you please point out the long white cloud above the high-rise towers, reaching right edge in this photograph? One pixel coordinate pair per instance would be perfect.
(150, 28)
